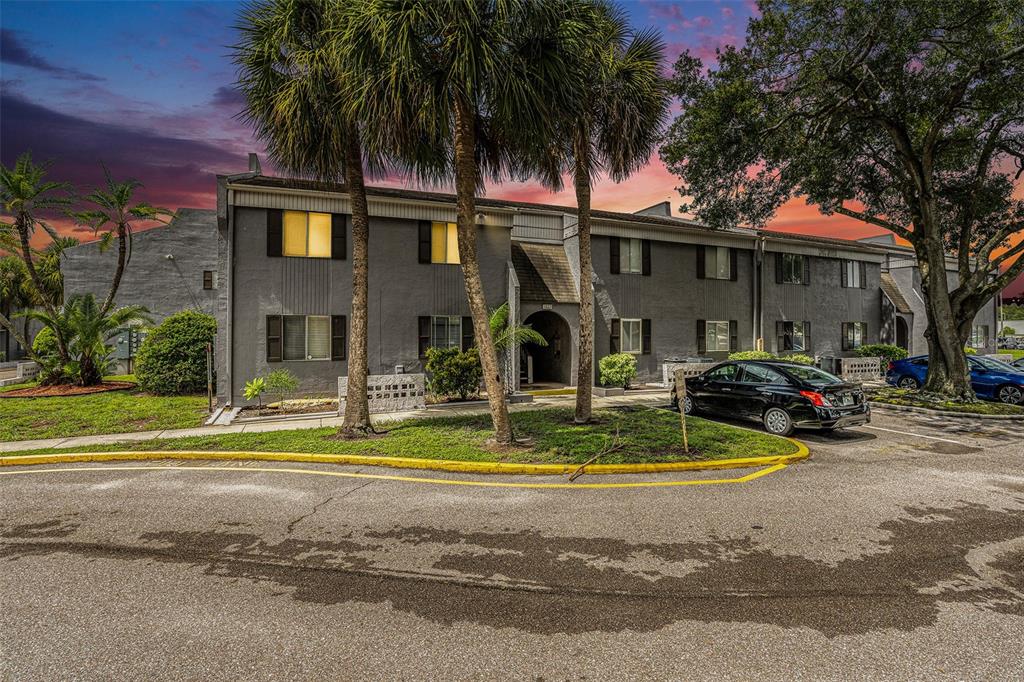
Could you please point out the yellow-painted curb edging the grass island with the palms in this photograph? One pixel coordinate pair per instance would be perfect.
(413, 463)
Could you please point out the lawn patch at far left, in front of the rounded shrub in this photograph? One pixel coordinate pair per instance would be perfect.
(115, 412)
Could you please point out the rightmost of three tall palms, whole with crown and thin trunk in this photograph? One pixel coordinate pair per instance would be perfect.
(624, 105)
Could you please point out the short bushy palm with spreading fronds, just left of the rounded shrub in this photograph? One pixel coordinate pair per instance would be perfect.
(86, 328)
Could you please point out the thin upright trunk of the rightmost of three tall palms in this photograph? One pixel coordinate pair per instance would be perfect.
(585, 373)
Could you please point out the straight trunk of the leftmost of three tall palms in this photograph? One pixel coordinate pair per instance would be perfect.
(357, 404)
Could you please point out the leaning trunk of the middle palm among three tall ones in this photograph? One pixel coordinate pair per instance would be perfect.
(465, 179)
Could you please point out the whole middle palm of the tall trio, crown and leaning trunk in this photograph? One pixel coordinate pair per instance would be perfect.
(479, 75)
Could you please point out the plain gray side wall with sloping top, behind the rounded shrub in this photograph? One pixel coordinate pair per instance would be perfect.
(164, 286)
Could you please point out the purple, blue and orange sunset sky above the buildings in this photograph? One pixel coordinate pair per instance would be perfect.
(146, 89)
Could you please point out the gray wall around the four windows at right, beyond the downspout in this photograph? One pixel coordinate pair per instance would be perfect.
(825, 303)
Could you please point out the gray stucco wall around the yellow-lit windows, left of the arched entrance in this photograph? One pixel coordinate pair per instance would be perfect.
(401, 291)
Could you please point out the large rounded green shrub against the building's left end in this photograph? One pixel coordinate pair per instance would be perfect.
(173, 360)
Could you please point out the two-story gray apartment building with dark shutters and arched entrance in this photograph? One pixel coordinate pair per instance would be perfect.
(664, 288)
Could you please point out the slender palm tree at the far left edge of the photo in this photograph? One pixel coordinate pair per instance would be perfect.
(26, 196)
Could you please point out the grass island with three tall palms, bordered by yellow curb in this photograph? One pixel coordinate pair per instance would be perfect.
(644, 436)
